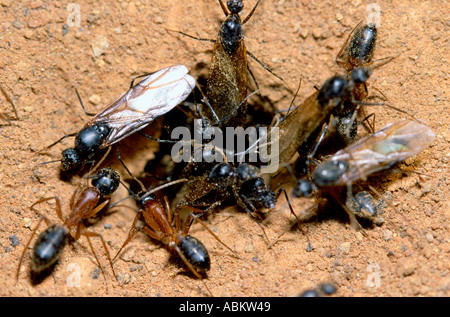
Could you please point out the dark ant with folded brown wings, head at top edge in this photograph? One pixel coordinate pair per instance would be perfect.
(227, 83)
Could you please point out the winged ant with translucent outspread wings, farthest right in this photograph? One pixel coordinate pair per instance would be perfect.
(379, 151)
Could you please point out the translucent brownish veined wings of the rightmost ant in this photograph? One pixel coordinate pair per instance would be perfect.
(390, 145)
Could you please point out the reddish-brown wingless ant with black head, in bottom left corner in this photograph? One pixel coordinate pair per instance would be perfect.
(85, 203)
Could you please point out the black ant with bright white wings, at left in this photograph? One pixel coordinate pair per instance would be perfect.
(152, 97)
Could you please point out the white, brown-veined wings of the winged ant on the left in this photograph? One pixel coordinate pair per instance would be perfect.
(155, 95)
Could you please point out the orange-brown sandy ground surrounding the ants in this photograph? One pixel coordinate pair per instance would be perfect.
(45, 54)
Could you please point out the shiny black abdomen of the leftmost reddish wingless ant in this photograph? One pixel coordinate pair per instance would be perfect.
(48, 247)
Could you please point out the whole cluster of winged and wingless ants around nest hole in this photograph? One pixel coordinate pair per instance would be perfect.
(199, 187)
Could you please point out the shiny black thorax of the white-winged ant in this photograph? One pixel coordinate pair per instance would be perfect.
(91, 138)
